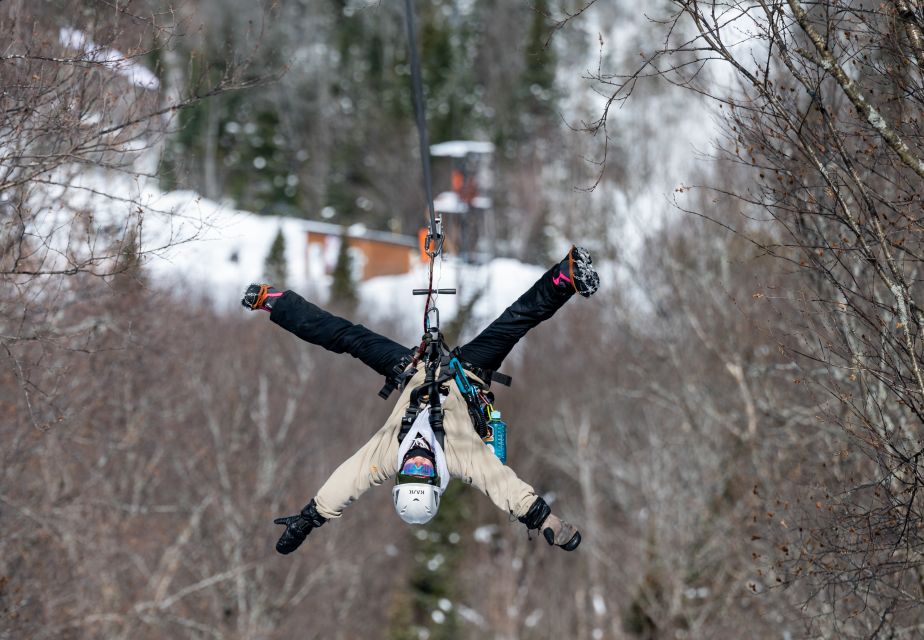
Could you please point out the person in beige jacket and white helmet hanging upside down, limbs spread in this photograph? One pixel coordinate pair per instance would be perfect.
(422, 466)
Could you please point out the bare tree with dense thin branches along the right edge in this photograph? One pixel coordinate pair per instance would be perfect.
(821, 109)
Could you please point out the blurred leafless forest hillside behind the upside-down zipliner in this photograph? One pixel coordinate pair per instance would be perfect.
(737, 423)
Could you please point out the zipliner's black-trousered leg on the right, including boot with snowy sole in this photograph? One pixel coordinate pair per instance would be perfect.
(556, 286)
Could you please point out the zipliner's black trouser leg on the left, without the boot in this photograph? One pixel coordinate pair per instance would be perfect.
(317, 326)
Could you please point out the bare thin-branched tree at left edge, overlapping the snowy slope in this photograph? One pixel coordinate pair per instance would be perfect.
(84, 114)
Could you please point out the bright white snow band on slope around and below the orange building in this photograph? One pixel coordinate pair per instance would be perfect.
(190, 241)
